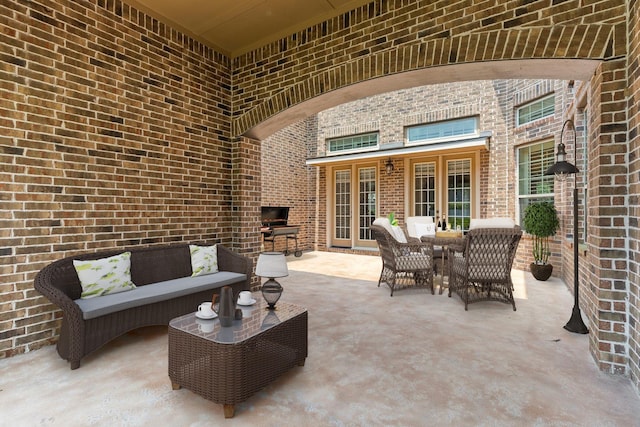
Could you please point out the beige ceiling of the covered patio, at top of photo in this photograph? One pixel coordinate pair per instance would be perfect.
(235, 27)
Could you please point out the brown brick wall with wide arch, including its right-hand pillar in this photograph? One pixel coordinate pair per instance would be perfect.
(390, 45)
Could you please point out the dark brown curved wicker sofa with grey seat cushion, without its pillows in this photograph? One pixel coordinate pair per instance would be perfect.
(164, 290)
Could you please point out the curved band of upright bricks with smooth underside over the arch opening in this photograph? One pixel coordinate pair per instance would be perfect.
(561, 51)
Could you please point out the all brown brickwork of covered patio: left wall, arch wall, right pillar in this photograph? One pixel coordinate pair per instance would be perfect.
(115, 129)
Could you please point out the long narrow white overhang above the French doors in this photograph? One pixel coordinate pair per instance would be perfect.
(480, 141)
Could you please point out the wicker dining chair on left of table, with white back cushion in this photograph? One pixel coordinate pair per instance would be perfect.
(404, 264)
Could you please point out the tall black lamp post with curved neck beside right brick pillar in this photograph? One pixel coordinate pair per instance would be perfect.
(561, 168)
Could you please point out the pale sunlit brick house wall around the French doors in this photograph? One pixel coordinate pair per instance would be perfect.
(494, 102)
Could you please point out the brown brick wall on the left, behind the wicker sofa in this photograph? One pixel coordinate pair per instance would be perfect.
(114, 132)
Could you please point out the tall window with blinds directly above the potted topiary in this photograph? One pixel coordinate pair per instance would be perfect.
(533, 185)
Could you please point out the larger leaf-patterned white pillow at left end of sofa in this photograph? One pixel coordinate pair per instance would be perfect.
(105, 276)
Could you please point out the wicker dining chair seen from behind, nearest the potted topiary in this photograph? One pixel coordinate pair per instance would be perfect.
(481, 267)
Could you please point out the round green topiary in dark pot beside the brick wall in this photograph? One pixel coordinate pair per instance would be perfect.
(541, 221)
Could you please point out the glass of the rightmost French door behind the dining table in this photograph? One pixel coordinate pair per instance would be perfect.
(459, 193)
